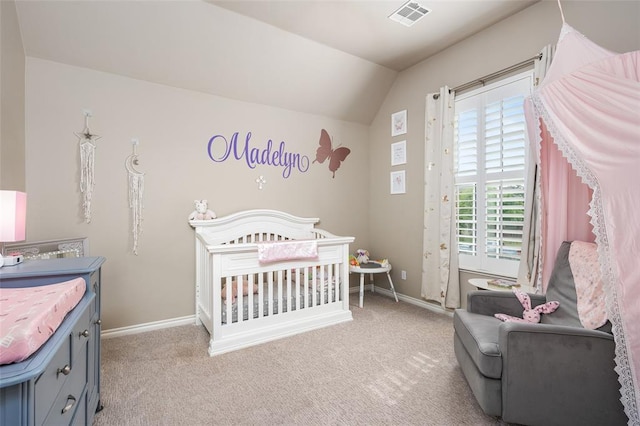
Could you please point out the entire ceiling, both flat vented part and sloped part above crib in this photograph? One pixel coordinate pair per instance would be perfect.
(331, 58)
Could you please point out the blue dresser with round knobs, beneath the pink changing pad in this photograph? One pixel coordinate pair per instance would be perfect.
(59, 384)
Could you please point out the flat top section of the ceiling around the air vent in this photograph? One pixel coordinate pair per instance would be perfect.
(362, 28)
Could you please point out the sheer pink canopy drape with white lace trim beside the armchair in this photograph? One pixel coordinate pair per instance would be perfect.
(589, 105)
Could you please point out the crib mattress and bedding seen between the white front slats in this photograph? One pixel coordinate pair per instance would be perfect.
(276, 302)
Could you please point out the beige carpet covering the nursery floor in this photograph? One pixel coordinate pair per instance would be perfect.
(392, 365)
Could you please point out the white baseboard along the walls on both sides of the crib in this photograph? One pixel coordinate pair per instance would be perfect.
(190, 319)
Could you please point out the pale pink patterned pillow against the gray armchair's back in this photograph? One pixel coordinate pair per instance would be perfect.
(583, 258)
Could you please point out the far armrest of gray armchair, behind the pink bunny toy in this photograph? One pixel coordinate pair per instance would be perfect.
(486, 302)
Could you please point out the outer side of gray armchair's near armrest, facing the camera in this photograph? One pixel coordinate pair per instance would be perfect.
(544, 366)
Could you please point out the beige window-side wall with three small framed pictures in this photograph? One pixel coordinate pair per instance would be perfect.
(396, 221)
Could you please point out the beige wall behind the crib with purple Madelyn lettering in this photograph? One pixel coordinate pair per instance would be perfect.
(173, 127)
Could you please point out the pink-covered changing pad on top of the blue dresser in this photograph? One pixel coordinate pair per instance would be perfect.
(30, 315)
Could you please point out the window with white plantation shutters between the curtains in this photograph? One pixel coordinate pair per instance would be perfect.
(490, 165)
